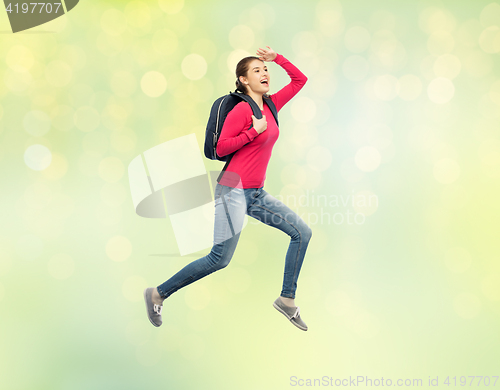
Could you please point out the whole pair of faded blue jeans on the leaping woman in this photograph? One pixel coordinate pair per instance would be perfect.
(231, 204)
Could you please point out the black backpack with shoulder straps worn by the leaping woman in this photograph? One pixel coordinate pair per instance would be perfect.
(218, 114)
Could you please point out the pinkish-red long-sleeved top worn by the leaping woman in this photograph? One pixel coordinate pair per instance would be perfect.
(253, 150)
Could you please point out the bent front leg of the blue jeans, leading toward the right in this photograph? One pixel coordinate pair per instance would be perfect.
(272, 212)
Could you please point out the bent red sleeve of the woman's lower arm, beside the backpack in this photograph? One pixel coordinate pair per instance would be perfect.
(237, 130)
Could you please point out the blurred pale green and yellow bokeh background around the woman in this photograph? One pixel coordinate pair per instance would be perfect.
(402, 104)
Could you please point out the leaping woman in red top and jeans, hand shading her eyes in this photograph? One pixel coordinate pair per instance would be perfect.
(240, 189)
